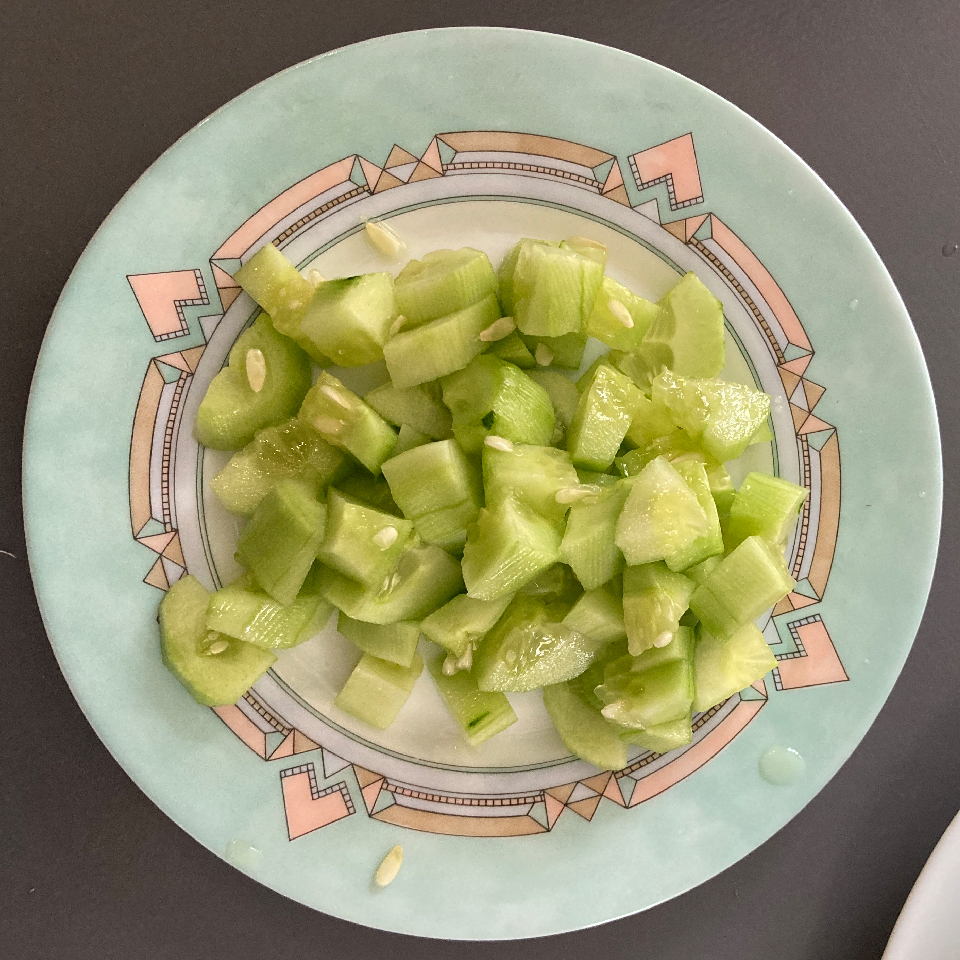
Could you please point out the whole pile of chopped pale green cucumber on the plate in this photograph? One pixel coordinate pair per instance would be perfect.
(584, 538)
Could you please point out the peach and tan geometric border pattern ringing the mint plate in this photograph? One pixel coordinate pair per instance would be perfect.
(806, 654)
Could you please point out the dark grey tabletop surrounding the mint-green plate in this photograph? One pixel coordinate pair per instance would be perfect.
(92, 92)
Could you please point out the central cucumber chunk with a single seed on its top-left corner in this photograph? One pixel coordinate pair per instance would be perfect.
(532, 474)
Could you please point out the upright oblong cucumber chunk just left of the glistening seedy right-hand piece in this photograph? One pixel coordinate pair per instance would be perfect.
(602, 419)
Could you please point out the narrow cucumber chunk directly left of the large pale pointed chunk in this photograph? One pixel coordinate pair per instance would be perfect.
(588, 544)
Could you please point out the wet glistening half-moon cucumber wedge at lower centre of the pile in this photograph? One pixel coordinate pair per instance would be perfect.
(528, 649)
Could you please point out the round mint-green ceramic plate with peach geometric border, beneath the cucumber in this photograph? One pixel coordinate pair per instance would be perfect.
(474, 136)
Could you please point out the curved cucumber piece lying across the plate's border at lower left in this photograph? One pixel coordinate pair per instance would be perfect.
(185, 644)
